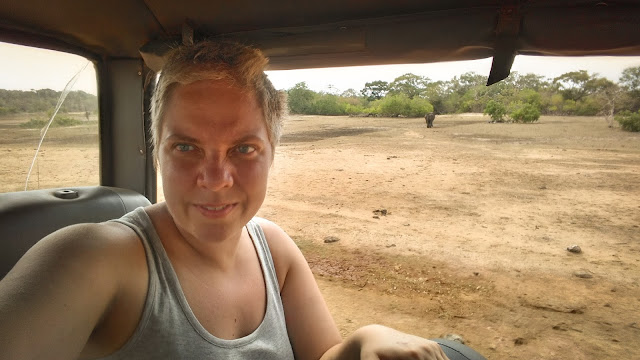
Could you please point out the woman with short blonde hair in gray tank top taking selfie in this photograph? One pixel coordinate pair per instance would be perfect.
(196, 276)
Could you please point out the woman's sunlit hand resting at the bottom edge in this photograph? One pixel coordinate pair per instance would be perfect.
(383, 343)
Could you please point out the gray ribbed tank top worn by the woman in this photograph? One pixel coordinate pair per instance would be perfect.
(168, 329)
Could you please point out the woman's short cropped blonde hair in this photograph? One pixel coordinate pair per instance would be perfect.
(242, 65)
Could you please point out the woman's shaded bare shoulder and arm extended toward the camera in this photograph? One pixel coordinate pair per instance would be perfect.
(68, 280)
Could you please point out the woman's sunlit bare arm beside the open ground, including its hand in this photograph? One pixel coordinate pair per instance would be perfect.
(311, 328)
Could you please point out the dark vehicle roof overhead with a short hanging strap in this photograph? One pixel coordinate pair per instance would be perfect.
(297, 34)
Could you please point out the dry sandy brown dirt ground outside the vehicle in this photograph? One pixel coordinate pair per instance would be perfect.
(474, 240)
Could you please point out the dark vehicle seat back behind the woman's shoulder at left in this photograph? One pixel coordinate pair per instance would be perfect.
(28, 216)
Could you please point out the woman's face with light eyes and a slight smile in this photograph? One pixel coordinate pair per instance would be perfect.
(214, 155)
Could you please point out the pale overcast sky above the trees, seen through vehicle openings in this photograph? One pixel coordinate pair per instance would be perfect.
(24, 68)
